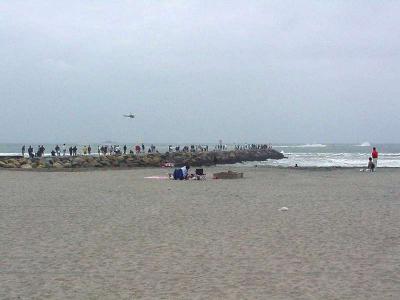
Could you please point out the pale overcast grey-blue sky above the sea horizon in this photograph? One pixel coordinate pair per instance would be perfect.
(200, 71)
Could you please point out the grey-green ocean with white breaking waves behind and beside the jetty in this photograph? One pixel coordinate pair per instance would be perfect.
(304, 155)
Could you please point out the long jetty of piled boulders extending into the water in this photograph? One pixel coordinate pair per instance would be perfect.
(146, 160)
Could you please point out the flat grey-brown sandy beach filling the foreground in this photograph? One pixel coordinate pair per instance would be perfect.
(116, 235)
